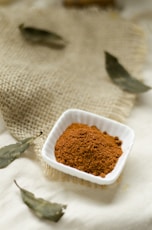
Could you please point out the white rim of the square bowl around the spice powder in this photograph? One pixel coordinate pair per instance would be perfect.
(110, 177)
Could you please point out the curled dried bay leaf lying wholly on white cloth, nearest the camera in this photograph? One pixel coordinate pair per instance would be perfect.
(42, 208)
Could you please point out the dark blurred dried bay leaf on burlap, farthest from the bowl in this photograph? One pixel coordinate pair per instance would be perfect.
(41, 36)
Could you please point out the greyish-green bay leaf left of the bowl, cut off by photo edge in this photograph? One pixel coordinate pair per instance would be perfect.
(10, 152)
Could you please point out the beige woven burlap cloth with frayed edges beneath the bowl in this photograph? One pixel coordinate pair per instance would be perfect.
(38, 83)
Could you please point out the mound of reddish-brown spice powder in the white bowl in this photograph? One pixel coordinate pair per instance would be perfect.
(88, 149)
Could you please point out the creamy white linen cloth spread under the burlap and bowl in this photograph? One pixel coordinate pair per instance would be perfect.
(130, 203)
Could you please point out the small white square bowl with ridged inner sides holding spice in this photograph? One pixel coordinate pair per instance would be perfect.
(112, 127)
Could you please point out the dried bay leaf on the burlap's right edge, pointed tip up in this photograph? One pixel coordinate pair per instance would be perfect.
(121, 77)
